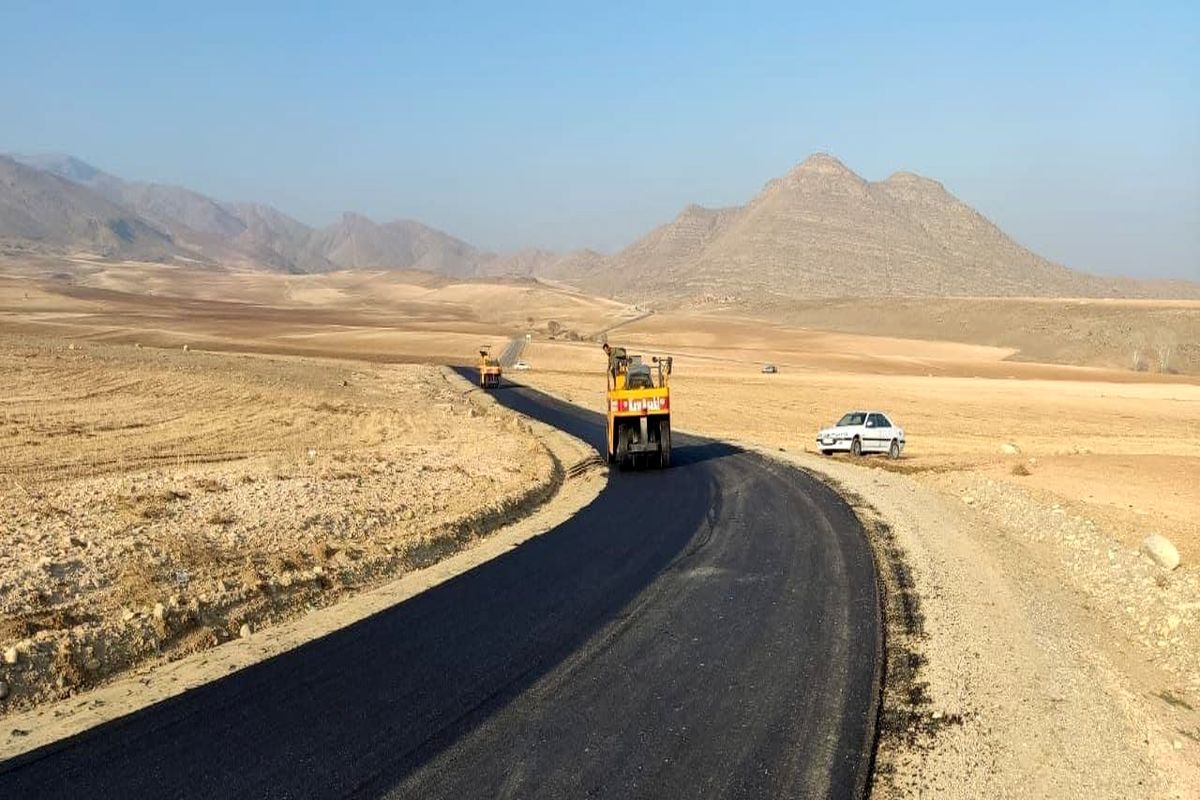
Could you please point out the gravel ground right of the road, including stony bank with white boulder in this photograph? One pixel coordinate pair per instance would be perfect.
(1029, 655)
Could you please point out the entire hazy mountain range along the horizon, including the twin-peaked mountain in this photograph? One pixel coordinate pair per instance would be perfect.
(818, 231)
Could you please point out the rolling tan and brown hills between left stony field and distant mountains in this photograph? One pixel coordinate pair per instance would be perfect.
(379, 316)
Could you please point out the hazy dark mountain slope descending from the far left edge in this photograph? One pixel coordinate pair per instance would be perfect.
(50, 210)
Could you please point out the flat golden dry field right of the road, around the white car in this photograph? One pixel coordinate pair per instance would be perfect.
(1119, 446)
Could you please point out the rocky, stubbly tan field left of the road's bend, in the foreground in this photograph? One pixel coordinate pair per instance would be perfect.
(158, 503)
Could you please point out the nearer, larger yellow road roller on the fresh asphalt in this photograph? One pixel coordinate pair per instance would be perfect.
(639, 410)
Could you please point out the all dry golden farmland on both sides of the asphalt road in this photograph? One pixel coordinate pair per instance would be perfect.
(298, 424)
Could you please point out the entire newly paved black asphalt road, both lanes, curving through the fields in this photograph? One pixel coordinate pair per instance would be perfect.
(711, 630)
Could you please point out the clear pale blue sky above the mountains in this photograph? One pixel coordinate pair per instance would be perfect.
(1076, 128)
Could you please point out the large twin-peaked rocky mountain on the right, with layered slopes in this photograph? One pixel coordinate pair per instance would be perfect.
(823, 231)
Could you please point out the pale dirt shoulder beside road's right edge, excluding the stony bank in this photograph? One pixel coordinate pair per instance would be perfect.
(1001, 679)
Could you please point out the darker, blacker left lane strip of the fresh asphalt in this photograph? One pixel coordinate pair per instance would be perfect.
(386, 695)
